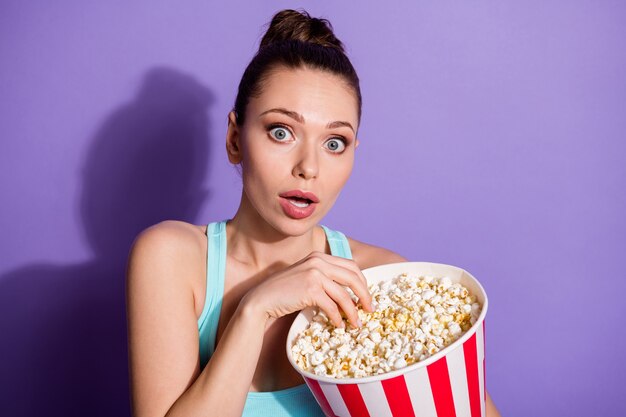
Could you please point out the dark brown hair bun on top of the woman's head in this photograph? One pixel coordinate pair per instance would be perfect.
(298, 25)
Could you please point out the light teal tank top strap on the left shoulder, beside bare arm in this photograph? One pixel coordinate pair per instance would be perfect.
(216, 266)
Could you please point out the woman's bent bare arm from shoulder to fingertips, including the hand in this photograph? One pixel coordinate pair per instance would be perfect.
(163, 331)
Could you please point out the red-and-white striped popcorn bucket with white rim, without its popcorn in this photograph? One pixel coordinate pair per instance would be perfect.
(448, 383)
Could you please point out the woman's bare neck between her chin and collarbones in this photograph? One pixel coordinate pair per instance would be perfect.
(253, 241)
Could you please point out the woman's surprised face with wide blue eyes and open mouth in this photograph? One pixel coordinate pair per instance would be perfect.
(297, 147)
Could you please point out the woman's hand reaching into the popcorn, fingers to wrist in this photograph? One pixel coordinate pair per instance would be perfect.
(316, 280)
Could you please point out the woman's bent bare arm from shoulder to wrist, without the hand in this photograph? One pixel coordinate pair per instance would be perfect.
(163, 334)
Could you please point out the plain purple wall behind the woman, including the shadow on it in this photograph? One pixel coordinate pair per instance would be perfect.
(492, 139)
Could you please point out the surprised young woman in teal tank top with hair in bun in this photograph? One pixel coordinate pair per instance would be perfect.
(209, 307)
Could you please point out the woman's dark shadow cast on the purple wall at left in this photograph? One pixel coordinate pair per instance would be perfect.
(64, 340)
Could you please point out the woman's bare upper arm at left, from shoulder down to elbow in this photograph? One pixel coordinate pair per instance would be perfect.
(162, 322)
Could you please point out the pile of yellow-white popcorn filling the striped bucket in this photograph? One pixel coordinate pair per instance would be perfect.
(414, 318)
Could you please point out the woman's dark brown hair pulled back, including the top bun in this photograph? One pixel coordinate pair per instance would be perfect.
(295, 40)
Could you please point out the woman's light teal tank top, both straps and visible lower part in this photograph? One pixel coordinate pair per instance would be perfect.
(291, 402)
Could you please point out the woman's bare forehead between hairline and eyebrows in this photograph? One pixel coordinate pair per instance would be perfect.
(319, 96)
